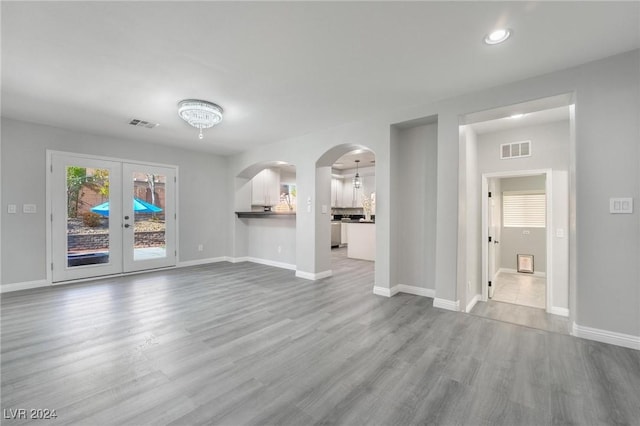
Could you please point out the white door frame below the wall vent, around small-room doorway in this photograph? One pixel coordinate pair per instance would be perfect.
(549, 228)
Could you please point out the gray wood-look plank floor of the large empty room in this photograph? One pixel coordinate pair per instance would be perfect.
(237, 344)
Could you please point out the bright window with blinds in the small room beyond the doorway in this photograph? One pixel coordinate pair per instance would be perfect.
(523, 209)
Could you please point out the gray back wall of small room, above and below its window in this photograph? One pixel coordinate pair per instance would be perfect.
(514, 241)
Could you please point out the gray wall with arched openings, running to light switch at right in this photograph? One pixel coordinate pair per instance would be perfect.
(607, 94)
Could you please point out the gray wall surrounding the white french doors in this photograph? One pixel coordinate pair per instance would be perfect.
(202, 188)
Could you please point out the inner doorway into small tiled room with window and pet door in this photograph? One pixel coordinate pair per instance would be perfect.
(515, 219)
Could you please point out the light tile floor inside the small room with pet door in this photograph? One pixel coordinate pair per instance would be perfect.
(521, 289)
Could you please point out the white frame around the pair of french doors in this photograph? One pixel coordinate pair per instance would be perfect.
(49, 210)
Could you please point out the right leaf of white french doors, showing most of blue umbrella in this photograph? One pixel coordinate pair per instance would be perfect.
(149, 217)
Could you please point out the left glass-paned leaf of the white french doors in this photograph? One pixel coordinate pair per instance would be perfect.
(85, 243)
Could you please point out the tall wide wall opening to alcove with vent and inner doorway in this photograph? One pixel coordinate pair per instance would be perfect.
(522, 154)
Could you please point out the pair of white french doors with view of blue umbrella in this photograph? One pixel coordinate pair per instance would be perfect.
(110, 217)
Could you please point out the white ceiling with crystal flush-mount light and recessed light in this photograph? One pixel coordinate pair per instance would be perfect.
(279, 69)
